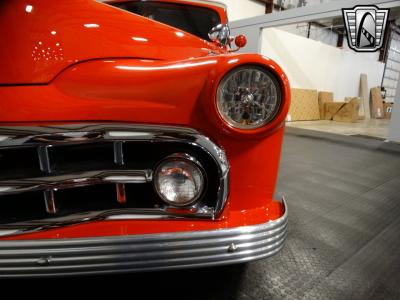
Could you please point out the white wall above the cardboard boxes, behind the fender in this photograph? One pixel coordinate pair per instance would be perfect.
(311, 64)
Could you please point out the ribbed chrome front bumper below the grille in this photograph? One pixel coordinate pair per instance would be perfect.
(150, 252)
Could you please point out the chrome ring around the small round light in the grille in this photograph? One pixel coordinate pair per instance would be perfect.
(180, 158)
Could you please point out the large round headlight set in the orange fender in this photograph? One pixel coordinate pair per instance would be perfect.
(248, 97)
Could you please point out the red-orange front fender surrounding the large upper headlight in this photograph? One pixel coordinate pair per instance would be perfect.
(168, 93)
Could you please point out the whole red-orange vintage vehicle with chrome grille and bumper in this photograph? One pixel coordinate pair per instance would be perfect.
(133, 137)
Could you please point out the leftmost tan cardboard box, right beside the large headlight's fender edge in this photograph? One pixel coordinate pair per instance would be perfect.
(304, 105)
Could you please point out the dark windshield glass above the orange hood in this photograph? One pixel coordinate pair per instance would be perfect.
(193, 19)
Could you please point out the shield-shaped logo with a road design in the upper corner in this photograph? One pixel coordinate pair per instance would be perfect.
(365, 27)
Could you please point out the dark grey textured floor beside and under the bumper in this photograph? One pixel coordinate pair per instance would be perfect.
(344, 236)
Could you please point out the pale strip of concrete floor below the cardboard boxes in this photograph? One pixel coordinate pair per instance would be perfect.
(374, 127)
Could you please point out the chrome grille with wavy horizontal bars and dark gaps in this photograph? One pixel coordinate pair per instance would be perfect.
(78, 173)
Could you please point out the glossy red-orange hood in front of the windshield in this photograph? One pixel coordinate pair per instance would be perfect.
(42, 38)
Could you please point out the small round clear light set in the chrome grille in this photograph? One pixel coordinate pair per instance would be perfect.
(179, 181)
